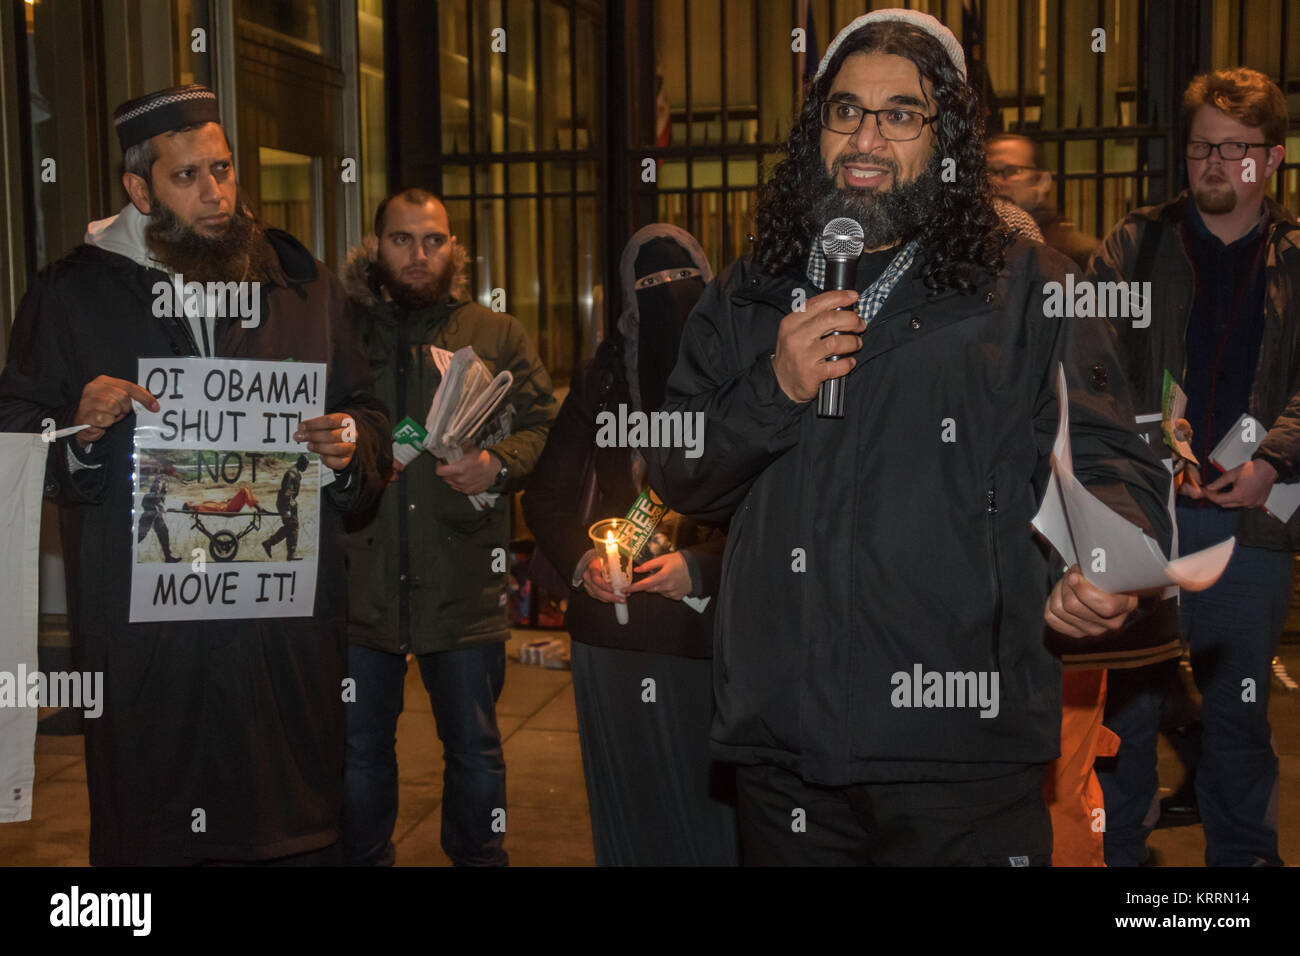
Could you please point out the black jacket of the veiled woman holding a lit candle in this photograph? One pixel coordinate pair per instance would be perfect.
(552, 507)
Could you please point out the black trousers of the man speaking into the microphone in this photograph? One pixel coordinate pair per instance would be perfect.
(788, 823)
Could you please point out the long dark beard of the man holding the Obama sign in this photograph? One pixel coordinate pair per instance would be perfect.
(239, 256)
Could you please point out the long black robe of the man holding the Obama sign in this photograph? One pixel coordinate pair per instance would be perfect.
(240, 719)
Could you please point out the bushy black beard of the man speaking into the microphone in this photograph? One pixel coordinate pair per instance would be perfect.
(887, 218)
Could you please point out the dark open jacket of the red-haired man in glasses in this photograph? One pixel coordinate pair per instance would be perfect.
(1149, 352)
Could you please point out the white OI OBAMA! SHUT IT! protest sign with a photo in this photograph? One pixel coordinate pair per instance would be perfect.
(227, 507)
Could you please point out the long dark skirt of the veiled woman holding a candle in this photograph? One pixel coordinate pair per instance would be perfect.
(657, 798)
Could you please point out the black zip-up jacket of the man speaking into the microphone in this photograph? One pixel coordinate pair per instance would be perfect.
(917, 550)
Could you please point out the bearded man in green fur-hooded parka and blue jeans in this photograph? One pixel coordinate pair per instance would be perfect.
(428, 569)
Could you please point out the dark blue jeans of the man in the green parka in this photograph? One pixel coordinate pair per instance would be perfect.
(463, 689)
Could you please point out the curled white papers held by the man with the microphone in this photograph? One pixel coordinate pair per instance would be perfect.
(1112, 552)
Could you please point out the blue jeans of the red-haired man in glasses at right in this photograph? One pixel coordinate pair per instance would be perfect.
(1232, 631)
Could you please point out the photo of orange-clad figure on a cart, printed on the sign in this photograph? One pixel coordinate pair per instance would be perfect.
(233, 505)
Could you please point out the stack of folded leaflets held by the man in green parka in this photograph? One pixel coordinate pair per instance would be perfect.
(469, 408)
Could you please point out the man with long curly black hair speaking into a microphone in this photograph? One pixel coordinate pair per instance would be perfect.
(881, 669)
